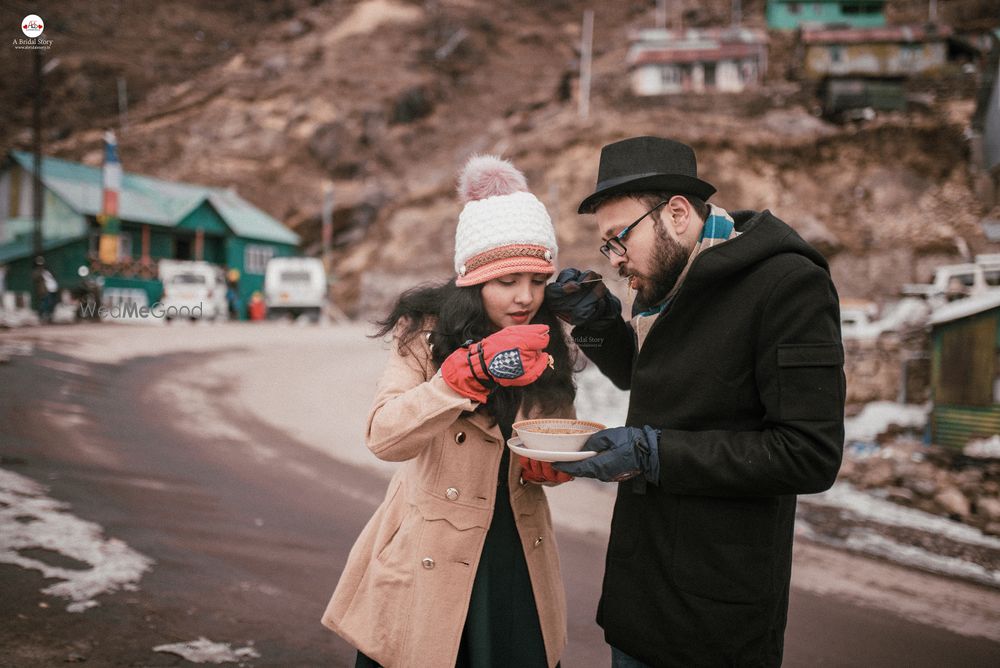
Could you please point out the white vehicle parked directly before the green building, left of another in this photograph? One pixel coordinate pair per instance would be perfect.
(193, 290)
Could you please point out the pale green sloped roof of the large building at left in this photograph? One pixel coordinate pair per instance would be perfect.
(145, 199)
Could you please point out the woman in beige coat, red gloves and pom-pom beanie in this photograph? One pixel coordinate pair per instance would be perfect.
(458, 566)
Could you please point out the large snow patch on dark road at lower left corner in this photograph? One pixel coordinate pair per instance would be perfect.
(29, 520)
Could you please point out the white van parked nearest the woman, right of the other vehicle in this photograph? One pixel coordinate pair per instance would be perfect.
(295, 286)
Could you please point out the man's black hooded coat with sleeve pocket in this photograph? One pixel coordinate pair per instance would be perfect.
(743, 373)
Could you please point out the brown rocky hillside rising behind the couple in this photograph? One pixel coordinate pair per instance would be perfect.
(386, 98)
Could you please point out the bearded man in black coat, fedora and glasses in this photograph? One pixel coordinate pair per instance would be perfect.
(735, 364)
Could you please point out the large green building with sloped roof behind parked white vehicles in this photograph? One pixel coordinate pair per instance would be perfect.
(159, 220)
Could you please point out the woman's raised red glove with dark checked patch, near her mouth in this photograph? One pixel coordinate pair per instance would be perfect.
(514, 356)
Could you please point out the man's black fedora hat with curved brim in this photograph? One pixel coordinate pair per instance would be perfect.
(643, 164)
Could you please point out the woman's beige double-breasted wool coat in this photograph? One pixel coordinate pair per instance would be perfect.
(404, 593)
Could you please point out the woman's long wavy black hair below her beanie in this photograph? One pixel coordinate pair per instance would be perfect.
(460, 317)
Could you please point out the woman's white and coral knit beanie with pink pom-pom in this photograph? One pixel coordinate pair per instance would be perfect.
(503, 229)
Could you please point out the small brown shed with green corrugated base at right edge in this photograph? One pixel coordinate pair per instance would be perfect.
(965, 370)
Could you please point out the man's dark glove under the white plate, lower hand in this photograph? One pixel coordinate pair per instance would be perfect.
(622, 453)
